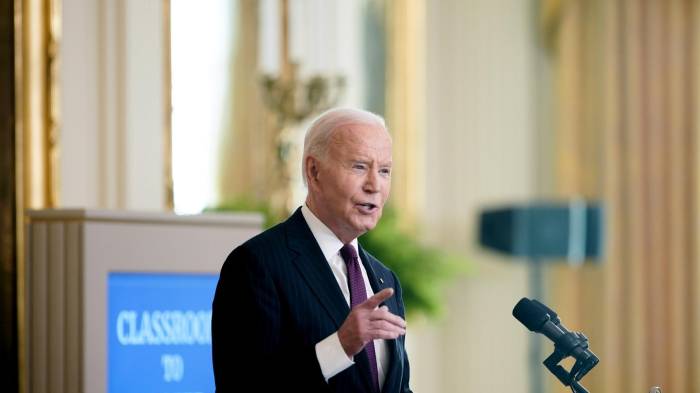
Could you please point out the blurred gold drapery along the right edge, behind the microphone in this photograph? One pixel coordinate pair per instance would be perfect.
(626, 92)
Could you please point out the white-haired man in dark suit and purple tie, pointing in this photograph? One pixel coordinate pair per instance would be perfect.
(301, 307)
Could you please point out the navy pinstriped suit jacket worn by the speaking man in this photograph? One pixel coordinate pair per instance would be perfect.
(276, 298)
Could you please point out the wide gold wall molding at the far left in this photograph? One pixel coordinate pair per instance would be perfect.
(37, 25)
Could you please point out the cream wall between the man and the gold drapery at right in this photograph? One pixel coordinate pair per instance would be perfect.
(481, 150)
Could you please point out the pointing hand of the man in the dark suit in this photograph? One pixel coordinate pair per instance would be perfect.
(366, 322)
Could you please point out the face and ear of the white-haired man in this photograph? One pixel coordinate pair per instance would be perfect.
(351, 183)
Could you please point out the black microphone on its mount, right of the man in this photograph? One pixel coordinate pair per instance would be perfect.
(541, 319)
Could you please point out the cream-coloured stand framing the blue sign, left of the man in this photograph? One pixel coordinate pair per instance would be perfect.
(70, 257)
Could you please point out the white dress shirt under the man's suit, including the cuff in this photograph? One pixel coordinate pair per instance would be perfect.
(330, 353)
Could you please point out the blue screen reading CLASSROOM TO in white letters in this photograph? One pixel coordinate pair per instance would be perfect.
(159, 331)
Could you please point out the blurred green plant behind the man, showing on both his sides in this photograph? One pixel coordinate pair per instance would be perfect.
(424, 271)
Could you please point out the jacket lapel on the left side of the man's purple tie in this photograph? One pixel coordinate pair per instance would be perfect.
(314, 268)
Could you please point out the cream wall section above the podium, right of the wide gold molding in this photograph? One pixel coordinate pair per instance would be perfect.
(112, 104)
